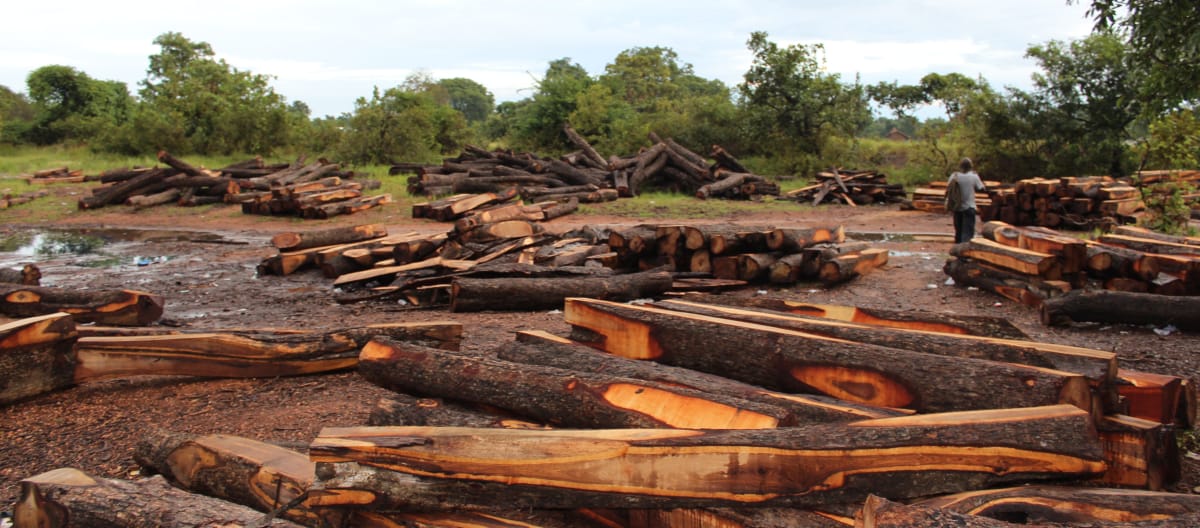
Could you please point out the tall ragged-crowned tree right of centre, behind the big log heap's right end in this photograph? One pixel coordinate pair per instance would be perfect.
(795, 107)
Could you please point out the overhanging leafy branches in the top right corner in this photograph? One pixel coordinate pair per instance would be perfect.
(1165, 47)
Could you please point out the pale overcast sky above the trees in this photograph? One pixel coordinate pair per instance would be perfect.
(328, 55)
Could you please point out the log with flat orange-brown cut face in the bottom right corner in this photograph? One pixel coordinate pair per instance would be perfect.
(1040, 505)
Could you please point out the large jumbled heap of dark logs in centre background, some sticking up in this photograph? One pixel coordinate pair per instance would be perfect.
(589, 177)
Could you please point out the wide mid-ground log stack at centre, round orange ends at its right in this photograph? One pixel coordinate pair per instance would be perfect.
(514, 265)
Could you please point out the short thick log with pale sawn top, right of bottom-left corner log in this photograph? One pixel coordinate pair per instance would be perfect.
(247, 472)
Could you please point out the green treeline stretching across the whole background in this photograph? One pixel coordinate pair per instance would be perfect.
(1123, 99)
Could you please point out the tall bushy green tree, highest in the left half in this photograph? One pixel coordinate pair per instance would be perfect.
(214, 107)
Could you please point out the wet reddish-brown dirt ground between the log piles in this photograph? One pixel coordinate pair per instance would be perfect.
(206, 269)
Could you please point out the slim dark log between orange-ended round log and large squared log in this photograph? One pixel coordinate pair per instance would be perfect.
(537, 347)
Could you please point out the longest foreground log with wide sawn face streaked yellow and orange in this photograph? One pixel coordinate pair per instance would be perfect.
(423, 469)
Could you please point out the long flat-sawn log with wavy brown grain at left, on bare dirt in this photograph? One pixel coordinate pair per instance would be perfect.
(242, 356)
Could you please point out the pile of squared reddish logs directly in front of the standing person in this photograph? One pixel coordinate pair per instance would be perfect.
(1034, 266)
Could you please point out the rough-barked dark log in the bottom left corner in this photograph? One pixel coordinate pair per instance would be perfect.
(71, 499)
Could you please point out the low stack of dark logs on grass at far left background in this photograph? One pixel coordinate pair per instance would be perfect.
(313, 191)
